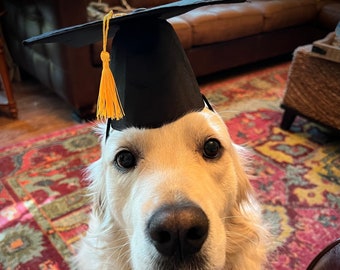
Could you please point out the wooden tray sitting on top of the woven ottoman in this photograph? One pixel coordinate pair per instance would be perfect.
(324, 49)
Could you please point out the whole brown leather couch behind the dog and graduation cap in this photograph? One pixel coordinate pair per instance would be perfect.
(214, 37)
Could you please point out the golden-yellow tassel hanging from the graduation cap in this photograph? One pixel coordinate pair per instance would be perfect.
(108, 104)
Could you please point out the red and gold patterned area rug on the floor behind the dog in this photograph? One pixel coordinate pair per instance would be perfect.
(43, 210)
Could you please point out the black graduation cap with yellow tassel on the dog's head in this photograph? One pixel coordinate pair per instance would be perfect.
(154, 79)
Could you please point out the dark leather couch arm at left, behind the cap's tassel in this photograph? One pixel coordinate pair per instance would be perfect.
(67, 71)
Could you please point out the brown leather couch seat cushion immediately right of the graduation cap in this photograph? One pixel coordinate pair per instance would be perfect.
(223, 22)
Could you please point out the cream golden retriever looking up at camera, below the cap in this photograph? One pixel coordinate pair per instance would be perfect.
(174, 197)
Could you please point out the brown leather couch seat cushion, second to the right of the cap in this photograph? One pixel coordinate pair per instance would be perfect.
(284, 13)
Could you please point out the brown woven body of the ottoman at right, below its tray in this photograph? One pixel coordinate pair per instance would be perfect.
(313, 87)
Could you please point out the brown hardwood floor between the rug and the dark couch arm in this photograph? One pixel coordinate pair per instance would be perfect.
(40, 111)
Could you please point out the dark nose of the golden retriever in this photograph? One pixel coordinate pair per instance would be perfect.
(178, 230)
